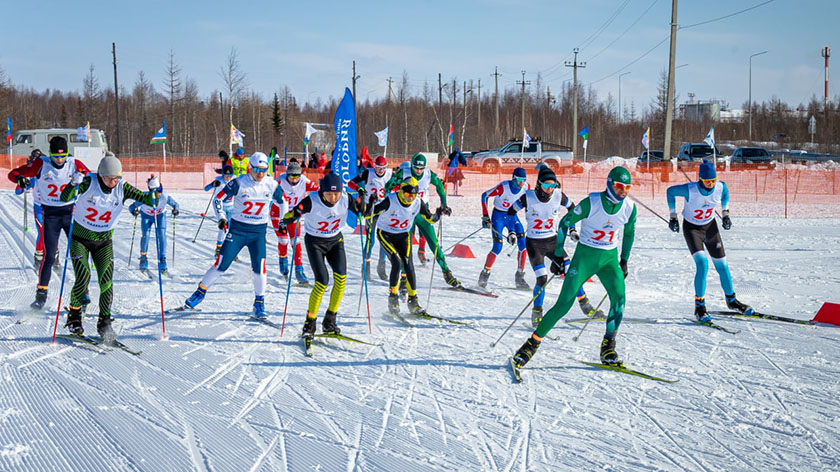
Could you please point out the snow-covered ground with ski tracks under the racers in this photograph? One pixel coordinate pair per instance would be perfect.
(224, 393)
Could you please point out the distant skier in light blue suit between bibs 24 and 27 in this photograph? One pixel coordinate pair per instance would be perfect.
(154, 215)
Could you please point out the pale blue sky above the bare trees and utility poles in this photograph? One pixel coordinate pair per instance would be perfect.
(310, 46)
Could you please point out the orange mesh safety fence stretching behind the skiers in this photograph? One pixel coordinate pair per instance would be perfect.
(786, 191)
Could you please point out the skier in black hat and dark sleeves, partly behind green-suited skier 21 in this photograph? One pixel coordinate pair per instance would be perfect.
(542, 206)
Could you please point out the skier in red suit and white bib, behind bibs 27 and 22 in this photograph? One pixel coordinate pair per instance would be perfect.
(295, 188)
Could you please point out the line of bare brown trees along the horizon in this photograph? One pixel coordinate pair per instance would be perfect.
(418, 117)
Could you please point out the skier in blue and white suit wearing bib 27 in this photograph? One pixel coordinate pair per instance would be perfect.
(251, 193)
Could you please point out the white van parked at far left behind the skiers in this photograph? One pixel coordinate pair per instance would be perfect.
(27, 140)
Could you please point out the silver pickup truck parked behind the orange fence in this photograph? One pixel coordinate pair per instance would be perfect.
(512, 155)
